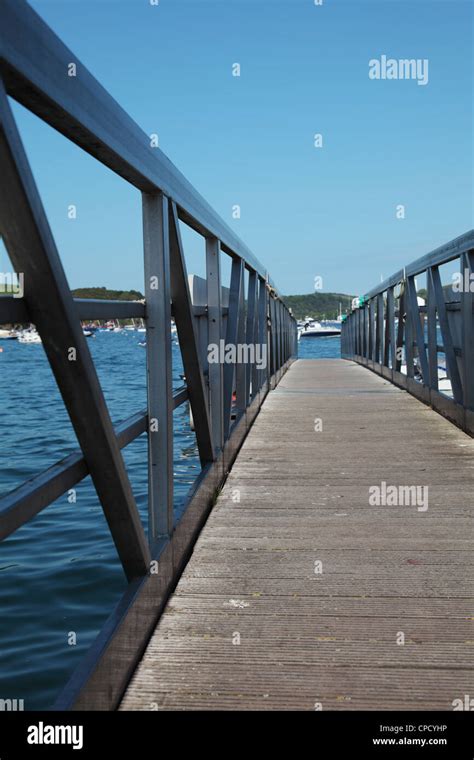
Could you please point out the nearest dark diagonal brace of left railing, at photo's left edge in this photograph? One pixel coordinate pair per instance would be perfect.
(32, 251)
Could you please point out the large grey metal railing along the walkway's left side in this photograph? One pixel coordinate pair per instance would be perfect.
(34, 66)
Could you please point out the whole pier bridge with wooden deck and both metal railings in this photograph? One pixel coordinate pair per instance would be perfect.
(323, 558)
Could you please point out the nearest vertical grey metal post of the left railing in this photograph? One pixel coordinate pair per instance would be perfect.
(159, 365)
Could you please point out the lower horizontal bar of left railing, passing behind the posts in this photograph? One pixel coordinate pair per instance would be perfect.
(20, 505)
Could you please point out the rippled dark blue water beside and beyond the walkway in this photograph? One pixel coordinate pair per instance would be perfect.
(59, 574)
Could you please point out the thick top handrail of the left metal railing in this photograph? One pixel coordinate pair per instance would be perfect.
(34, 64)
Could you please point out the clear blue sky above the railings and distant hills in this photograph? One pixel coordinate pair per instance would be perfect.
(249, 141)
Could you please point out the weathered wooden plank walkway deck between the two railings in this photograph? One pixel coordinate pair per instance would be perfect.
(329, 639)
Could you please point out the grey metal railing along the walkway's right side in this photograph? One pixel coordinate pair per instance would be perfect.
(402, 336)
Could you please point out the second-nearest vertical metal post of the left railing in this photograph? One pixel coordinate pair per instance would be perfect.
(214, 335)
